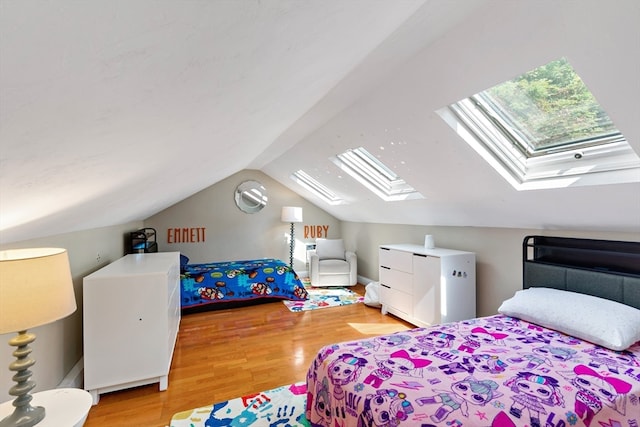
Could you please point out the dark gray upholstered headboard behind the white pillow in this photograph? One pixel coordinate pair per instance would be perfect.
(603, 268)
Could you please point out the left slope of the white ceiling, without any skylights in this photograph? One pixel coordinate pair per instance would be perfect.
(113, 111)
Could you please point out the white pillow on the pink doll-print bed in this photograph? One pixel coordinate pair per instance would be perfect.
(607, 323)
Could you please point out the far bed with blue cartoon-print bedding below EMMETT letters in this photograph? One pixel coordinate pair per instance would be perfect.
(232, 283)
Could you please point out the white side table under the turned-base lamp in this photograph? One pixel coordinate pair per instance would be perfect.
(63, 407)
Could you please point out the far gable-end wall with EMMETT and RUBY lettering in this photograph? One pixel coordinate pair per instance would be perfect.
(231, 234)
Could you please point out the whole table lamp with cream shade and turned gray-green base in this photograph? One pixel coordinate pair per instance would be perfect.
(35, 289)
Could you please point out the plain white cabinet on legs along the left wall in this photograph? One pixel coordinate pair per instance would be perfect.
(131, 314)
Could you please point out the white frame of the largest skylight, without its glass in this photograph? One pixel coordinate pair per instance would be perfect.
(604, 159)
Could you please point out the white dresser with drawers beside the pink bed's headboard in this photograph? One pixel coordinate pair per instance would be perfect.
(427, 286)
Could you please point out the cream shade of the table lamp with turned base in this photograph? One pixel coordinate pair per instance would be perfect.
(35, 288)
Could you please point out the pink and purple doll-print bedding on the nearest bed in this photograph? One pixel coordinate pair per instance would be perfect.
(493, 371)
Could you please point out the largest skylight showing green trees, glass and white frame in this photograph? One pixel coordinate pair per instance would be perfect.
(545, 129)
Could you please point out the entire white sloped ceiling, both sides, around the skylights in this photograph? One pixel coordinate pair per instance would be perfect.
(102, 103)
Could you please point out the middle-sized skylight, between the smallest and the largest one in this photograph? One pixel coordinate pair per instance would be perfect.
(374, 175)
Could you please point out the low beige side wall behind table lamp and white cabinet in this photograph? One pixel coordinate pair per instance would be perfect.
(58, 346)
